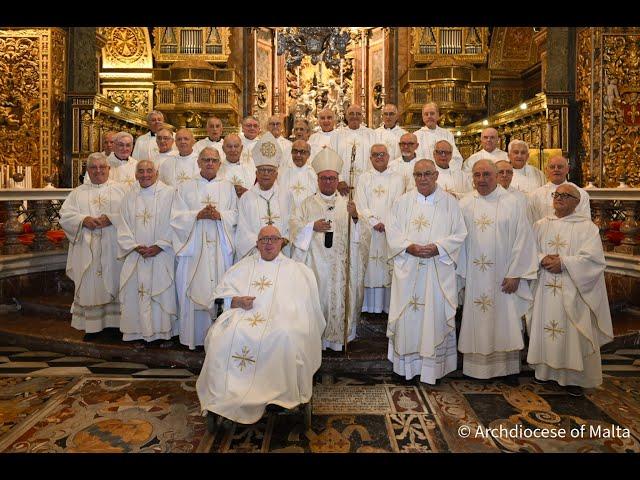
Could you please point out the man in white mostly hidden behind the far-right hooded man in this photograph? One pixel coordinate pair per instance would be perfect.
(541, 201)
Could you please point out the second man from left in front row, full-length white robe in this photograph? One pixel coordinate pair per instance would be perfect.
(147, 287)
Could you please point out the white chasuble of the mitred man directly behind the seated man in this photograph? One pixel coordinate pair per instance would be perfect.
(258, 208)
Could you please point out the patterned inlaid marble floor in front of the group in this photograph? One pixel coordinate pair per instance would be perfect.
(52, 403)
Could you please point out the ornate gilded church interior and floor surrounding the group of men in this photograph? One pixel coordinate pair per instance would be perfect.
(570, 91)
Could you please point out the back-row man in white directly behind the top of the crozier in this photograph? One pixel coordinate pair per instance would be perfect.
(353, 144)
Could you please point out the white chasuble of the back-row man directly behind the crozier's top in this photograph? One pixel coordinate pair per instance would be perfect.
(343, 142)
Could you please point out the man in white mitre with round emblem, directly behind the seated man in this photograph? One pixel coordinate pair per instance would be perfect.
(266, 203)
